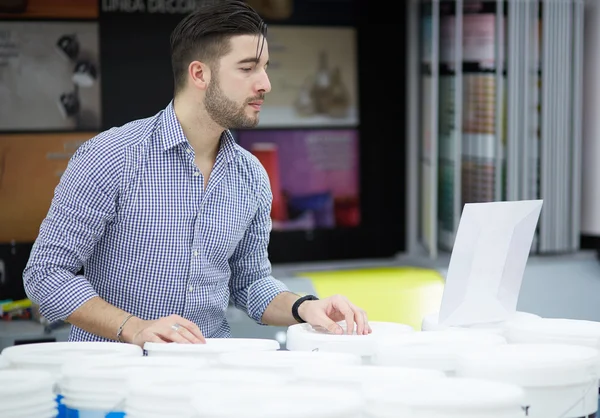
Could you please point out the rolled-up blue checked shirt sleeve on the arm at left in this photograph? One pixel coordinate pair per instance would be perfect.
(84, 203)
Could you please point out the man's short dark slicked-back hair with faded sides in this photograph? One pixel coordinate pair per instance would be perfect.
(204, 34)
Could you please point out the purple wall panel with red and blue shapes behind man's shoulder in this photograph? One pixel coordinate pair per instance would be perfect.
(314, 176)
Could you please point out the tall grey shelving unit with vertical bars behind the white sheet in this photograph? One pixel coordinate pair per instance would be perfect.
(497, 114)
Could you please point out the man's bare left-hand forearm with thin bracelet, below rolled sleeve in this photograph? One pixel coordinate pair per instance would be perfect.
(99, 317)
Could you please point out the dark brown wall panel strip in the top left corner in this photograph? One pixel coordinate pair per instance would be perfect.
(59, 9)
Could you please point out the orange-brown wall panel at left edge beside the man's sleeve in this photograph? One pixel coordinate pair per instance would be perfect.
(30, 168)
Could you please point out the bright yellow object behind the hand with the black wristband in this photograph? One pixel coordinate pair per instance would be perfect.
(391, 294)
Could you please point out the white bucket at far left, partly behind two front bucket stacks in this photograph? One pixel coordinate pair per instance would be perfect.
(51, 357)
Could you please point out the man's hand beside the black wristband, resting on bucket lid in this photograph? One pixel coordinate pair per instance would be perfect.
(325, 313)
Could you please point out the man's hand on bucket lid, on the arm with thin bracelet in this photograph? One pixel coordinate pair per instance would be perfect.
(172, 328)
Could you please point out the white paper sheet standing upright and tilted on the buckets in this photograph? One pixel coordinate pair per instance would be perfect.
(488, 260)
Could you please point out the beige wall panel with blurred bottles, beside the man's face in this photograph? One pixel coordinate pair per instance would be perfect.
(313, 74)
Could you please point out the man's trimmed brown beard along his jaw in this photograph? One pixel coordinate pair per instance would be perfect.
(226, 112)
